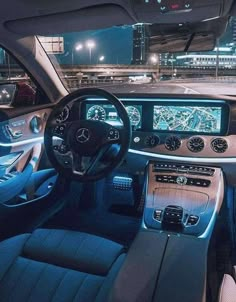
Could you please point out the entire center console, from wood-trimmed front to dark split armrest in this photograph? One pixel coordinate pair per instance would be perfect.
(168, 259)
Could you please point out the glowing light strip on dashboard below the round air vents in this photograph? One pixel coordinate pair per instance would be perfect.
(216, 160)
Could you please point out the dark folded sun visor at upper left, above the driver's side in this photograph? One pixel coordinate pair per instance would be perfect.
(84, 19)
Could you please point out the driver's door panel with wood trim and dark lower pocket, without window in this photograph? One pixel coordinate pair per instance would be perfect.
(26, 194)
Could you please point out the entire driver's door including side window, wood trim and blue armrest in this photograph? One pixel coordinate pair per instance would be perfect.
(25, 194)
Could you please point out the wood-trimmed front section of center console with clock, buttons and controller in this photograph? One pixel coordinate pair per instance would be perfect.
(182, 198)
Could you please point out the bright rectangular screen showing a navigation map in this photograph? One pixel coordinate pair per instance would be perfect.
(202, 119)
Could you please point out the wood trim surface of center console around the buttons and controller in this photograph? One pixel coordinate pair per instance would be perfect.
(204, 202)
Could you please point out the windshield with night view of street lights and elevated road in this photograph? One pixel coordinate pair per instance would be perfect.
(121, 59)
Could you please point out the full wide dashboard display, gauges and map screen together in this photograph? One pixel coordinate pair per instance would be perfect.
(184, 117)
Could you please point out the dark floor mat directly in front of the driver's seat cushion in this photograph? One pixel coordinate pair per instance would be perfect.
(121, 229)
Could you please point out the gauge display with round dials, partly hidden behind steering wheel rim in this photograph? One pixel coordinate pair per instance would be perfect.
(108, 114)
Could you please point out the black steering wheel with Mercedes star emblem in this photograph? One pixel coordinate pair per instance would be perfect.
(76, 148)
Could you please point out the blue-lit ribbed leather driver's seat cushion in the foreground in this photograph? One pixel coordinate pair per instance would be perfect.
(58, 265)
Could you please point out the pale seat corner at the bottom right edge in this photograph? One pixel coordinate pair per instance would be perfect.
(228, 289)
